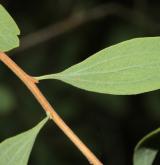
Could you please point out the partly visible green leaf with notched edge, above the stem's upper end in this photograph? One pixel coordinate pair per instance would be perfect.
(8, 31)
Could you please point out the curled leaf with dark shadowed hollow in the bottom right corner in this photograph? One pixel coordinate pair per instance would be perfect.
(147, 149)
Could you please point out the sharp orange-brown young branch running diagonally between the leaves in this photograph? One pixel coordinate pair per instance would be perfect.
(31, 84)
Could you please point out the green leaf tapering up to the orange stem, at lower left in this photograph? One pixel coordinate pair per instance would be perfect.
(16, 150)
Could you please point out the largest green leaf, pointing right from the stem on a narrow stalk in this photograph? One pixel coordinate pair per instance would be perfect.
(130, 67)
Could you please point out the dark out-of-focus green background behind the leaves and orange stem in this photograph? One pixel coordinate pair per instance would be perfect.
(110, 125)
